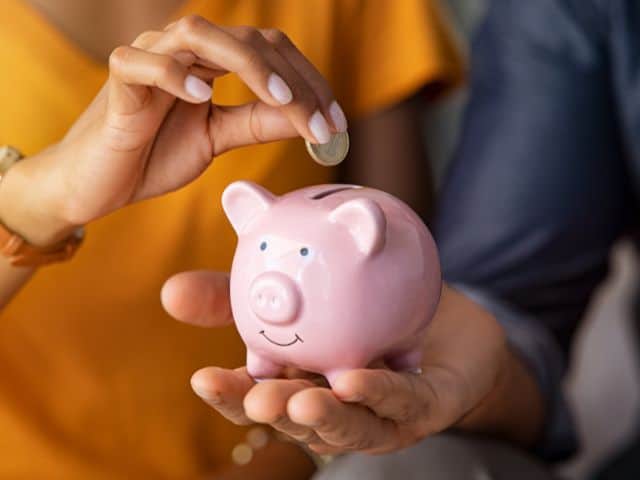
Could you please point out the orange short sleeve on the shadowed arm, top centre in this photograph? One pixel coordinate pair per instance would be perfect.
(389, 50)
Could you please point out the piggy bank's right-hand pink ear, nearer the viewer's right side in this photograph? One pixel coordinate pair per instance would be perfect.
(366, 223)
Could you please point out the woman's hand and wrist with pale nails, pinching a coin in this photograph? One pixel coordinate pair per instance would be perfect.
(152, 128)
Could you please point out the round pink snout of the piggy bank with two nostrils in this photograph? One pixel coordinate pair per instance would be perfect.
(274, 298)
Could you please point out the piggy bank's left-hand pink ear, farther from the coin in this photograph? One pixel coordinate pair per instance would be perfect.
(242, 201)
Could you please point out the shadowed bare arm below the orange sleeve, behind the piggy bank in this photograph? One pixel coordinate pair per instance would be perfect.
(387, 153)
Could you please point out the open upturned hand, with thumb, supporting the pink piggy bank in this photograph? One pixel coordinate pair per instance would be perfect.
(469, 380)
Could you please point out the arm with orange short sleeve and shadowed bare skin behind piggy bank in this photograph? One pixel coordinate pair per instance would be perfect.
(394, 58)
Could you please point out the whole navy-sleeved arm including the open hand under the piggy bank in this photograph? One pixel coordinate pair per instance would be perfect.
(536, 196)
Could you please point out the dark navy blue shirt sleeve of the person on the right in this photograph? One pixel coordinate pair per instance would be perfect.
(538, 191)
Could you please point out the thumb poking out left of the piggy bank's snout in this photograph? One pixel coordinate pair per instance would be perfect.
(199, 298)
